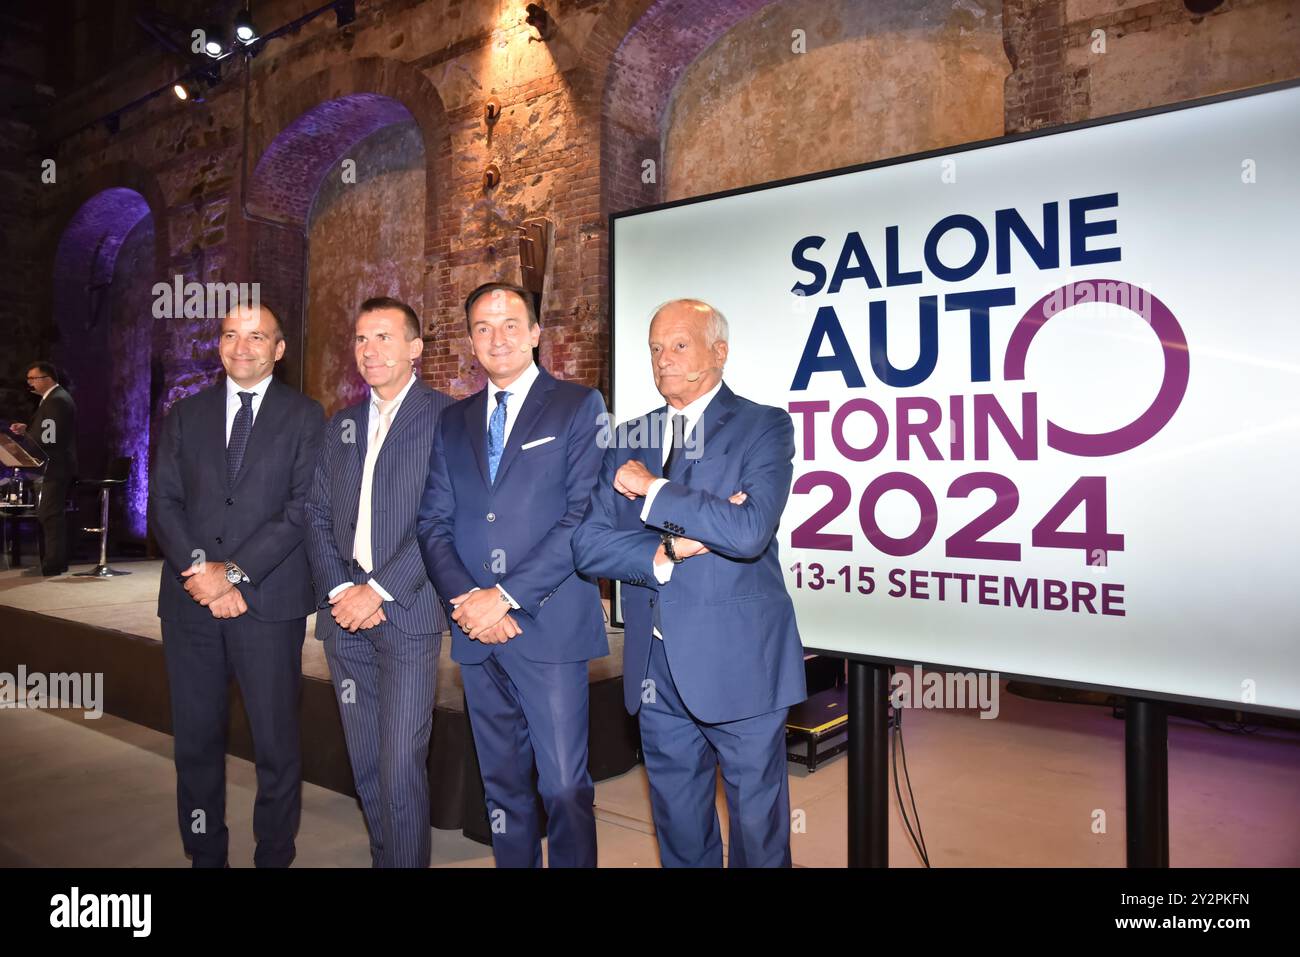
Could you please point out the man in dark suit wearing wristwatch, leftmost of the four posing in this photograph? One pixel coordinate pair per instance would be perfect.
(227, 506)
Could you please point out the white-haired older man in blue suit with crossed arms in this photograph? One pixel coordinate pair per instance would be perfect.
(712, 659)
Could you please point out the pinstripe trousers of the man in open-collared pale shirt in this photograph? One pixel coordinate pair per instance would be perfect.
(384, 681)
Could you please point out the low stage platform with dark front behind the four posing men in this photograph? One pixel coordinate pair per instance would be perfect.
(111, 626)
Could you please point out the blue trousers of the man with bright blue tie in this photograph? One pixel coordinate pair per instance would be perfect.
(528, 714)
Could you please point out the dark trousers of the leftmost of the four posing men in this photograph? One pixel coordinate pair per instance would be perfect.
(267, 660)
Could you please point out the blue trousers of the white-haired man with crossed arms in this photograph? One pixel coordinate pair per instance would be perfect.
(683, 756)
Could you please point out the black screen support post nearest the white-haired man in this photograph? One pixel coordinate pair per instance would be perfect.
(869, 765)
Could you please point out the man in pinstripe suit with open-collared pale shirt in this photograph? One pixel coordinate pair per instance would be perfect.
(379, 617)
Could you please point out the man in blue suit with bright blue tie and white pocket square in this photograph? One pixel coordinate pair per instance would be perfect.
(510, 477)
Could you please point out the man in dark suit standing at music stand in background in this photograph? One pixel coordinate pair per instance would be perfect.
(54, 430)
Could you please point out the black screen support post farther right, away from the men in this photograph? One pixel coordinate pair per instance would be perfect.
(1147, 783)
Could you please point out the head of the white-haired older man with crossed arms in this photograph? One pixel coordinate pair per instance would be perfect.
(688, 350)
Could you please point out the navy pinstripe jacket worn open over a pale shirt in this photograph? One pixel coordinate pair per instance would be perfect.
(397, 486)
